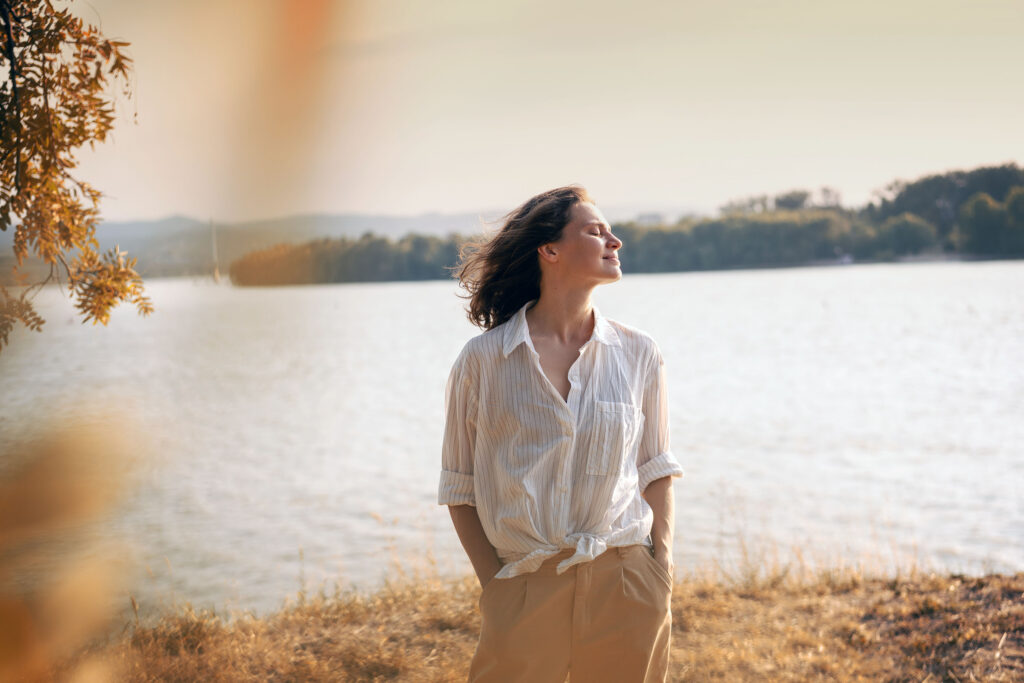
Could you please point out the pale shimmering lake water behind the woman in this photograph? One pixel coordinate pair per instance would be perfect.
(866, 413)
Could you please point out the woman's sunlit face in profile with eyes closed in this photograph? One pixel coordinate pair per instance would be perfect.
(587, 252)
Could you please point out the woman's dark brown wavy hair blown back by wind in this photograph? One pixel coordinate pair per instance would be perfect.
(502, 273)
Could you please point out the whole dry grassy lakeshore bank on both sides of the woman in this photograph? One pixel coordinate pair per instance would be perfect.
(820, 626)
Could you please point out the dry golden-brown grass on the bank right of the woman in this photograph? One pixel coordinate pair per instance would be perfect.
(842, 626)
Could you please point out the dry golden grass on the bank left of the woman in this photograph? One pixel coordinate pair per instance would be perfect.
(420, 631)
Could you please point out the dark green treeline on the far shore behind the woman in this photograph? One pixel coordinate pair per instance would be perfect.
(977, 214)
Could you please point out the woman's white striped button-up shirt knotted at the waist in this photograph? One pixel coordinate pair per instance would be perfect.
(547, 474)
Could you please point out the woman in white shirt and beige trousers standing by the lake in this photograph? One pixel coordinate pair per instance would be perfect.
(556, 461)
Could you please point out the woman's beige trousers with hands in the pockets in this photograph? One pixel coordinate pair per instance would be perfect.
(605, 621)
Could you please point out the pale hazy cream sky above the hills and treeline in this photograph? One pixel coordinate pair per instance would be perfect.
(257, 109)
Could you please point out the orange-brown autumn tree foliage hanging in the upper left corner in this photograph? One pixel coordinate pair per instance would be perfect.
(54, 100)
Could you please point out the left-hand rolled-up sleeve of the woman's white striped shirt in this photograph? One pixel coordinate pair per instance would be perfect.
(456, 487)
